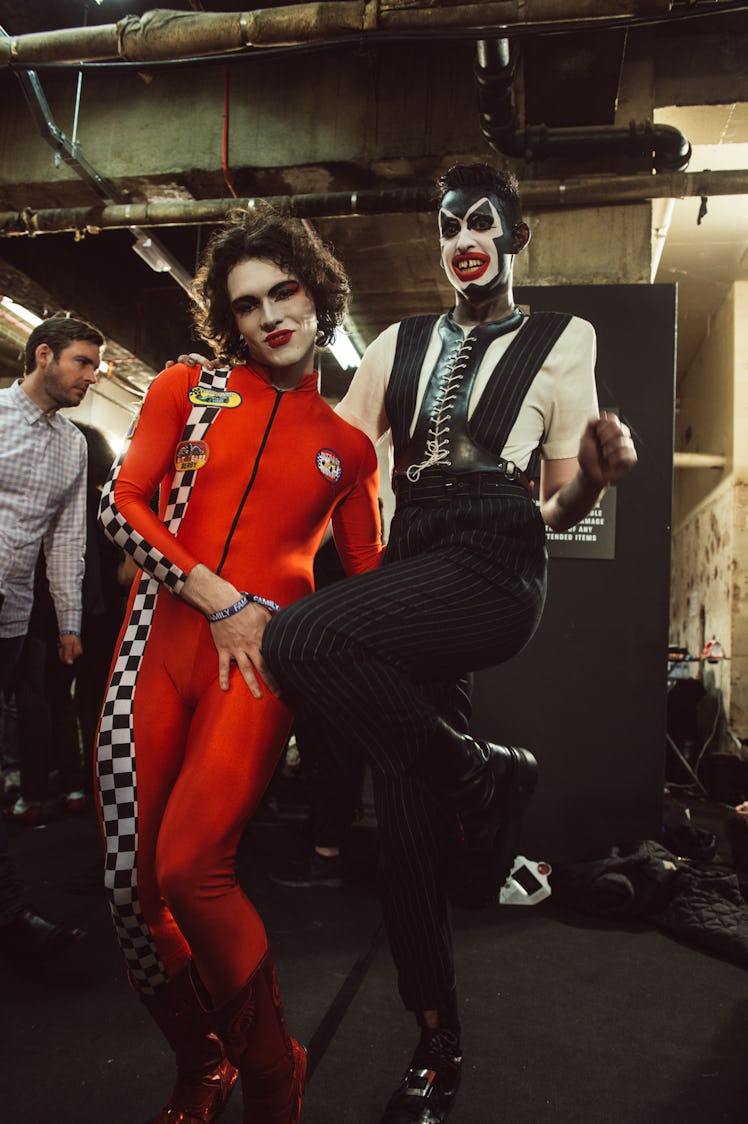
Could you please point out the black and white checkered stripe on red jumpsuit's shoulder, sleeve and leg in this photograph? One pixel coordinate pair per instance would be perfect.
(116, 759)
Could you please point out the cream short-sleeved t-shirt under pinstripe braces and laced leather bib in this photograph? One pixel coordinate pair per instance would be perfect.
(561, 402)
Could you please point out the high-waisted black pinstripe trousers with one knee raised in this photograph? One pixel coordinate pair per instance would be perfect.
(378, 658)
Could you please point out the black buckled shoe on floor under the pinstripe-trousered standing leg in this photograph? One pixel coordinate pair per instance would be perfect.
(428, 1091)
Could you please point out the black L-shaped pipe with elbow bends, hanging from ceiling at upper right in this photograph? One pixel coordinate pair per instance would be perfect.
(660, 147)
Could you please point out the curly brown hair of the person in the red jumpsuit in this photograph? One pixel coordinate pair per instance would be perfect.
(266, 234)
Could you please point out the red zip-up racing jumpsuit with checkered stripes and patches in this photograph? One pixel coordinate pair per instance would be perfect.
(185, 764)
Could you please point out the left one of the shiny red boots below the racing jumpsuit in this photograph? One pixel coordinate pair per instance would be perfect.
(205, 1077)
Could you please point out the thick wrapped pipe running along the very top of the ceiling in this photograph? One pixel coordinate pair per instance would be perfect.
(161, 34)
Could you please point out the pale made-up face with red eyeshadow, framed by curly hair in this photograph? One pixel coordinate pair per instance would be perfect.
(277, 319)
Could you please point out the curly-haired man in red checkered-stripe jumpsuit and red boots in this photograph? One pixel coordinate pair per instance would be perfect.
(250, 466)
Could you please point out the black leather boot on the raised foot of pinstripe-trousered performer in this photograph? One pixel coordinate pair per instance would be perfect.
(489, 787)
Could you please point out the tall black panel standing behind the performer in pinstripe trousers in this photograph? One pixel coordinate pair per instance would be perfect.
(589, 694)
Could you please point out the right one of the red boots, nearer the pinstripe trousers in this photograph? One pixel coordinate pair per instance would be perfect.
(253, 1028)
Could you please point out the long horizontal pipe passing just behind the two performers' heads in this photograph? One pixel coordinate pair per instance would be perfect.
(547, 195)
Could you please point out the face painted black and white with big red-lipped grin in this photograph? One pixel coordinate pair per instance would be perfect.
(476, 242)
